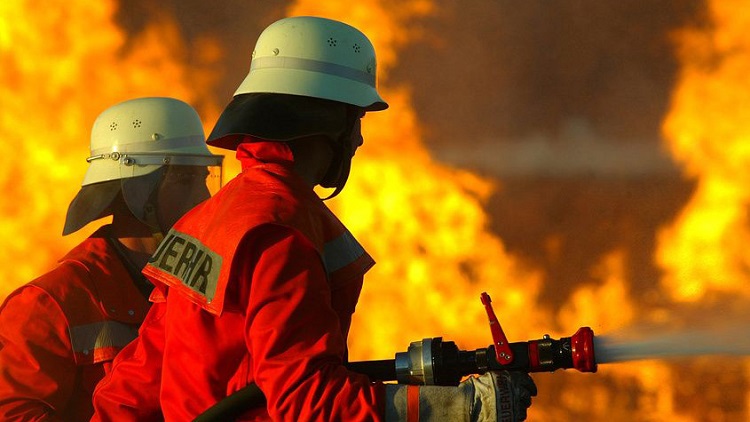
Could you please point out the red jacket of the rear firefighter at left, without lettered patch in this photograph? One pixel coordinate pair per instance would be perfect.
(60, 332)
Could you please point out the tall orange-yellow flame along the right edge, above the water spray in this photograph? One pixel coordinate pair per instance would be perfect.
(705, 251)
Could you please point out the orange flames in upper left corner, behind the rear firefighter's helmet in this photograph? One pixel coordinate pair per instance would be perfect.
(60, 66)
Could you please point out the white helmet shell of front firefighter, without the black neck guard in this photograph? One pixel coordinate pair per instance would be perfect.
(315, 57)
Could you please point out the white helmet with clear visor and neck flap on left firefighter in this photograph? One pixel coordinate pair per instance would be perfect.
(130, 141)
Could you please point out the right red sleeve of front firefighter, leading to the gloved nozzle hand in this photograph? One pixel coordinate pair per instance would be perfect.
(294, 334)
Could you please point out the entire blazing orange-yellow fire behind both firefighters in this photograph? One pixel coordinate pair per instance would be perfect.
(423, 221)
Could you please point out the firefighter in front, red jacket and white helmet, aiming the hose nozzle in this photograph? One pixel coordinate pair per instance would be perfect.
(259, 283)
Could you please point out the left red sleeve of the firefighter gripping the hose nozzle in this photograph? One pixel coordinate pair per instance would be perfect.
(130, 392)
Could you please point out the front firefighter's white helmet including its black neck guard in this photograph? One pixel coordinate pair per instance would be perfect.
(306, 72)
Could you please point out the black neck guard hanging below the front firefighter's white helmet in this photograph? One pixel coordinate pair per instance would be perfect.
(277, 117)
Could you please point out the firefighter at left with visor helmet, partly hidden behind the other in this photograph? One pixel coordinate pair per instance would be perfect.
(149, 164)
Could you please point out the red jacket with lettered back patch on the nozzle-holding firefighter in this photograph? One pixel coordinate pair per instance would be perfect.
(257, 284)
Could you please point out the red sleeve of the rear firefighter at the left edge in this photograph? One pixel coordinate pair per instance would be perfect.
(37, 367)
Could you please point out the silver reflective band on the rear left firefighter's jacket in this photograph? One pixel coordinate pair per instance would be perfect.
(87, 338)
